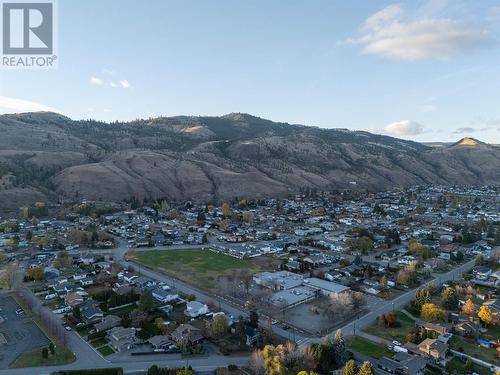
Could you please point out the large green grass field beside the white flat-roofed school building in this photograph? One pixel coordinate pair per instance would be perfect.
(197, 267)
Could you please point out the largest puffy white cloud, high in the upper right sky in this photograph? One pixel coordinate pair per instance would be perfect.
(386, 34)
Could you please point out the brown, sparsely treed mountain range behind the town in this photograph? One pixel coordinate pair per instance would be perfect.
(47, 156)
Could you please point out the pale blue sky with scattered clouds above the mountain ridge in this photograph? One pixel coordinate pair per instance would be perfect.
(423, 70)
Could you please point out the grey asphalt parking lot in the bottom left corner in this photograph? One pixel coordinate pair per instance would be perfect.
(20, 332)
